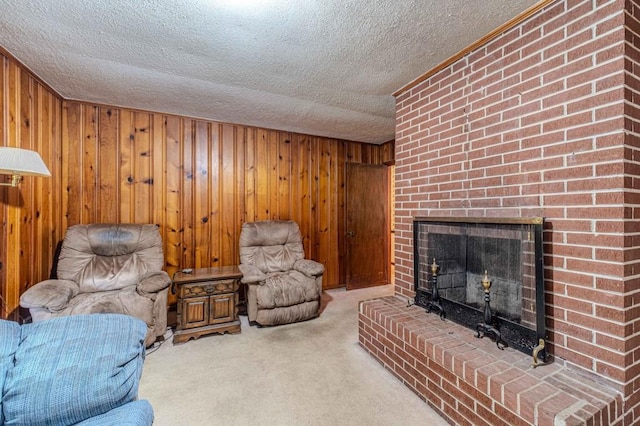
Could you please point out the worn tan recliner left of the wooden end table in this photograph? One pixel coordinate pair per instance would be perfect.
(106, 268)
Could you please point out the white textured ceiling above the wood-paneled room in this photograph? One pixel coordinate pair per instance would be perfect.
(326, 68)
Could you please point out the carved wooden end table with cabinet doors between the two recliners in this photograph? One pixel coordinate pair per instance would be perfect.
(207, 302)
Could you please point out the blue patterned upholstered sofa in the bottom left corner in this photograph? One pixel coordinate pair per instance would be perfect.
(79, 369)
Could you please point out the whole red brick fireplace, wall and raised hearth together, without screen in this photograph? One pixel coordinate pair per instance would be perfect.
(541, 121)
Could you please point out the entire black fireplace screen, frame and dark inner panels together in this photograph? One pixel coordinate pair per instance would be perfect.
(506, 253)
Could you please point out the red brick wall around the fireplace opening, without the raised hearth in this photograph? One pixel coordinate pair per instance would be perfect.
(535, 123)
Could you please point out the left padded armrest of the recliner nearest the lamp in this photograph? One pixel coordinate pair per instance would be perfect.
(52, 295)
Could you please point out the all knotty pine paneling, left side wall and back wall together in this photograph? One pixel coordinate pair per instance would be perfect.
(198, 180)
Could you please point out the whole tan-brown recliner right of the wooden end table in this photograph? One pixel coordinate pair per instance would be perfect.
(283, 287)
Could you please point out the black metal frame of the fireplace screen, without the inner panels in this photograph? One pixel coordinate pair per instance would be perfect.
(517, 336)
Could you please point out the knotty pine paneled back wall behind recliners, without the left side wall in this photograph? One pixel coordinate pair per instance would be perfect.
(200, 180)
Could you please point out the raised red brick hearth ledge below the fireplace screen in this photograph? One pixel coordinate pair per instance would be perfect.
(469, 380)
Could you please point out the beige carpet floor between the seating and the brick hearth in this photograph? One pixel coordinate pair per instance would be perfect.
(309, 373)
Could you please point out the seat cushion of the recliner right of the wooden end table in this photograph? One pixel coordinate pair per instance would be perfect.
(286, 289)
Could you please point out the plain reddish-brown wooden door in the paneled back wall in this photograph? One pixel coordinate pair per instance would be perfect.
(367, 236)
